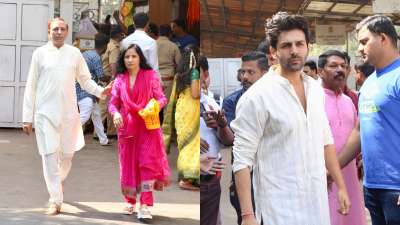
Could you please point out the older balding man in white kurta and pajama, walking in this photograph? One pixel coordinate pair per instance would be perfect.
(50, 104)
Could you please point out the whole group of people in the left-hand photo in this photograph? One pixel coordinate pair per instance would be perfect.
(137, 88)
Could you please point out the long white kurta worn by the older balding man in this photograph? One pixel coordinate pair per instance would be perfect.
(50, 99)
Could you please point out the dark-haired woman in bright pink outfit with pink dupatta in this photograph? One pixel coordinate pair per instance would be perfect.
(143, 162)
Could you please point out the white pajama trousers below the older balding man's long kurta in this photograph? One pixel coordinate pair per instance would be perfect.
(56, 167)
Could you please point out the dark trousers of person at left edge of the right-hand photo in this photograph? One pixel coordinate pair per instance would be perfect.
(210, 194)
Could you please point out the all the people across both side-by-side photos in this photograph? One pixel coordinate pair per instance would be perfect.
(301, 139)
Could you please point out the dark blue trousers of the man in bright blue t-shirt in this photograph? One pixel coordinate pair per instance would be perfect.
(382, 205)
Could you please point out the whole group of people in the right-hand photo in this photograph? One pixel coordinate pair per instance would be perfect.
(302, 140)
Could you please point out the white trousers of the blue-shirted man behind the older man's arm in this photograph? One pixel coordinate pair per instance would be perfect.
(87, 108)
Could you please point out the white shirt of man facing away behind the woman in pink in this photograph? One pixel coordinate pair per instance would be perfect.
(147, 44)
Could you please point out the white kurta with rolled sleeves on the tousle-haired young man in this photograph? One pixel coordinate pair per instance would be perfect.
(285, 148)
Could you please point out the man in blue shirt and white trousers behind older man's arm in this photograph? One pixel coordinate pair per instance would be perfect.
(87, 103)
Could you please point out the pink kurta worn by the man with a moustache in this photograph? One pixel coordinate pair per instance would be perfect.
(342, 116)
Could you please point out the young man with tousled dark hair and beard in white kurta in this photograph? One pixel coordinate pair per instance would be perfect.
(282, 134)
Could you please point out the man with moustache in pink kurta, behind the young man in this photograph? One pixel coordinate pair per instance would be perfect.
(342, 116)
